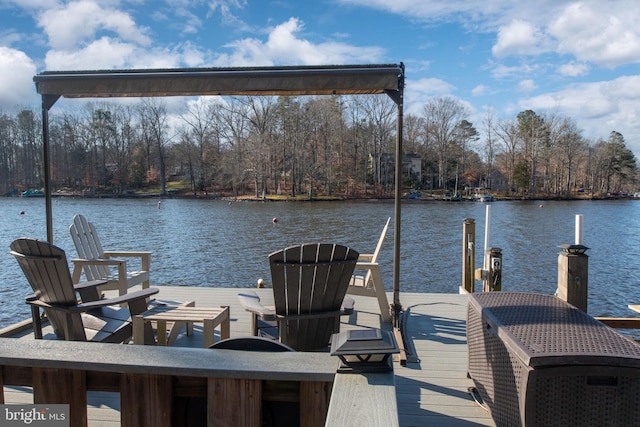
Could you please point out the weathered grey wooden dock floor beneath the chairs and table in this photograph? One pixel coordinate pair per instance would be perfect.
(432, 389)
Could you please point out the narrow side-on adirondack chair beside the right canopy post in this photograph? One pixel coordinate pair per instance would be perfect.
(370, 283)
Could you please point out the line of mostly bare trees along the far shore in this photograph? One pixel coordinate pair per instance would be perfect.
(329, 145)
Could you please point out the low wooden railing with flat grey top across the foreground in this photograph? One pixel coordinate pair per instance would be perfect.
(233, 387)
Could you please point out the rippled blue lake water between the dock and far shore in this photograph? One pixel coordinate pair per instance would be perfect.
(220, 244)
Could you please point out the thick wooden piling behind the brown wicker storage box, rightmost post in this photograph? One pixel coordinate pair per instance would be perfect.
(573, 275)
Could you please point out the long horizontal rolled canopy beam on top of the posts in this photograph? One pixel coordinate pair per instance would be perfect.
(264, 81)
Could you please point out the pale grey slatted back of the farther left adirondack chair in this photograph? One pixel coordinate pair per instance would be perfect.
(85, 239)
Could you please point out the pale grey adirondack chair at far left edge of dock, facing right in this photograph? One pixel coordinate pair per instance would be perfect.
(98, 264)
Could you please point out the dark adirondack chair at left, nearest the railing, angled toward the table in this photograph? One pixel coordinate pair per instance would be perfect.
(90, 318)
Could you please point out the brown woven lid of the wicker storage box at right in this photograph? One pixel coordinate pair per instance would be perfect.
(543, 330)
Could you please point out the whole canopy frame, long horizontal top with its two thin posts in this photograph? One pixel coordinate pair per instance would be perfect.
(258, 81)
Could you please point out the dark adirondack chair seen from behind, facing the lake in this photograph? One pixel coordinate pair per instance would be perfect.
(309, 286)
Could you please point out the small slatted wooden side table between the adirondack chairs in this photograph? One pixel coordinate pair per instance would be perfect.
(181, 315)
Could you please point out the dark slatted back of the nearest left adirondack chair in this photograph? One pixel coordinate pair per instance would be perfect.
(46, 269)
